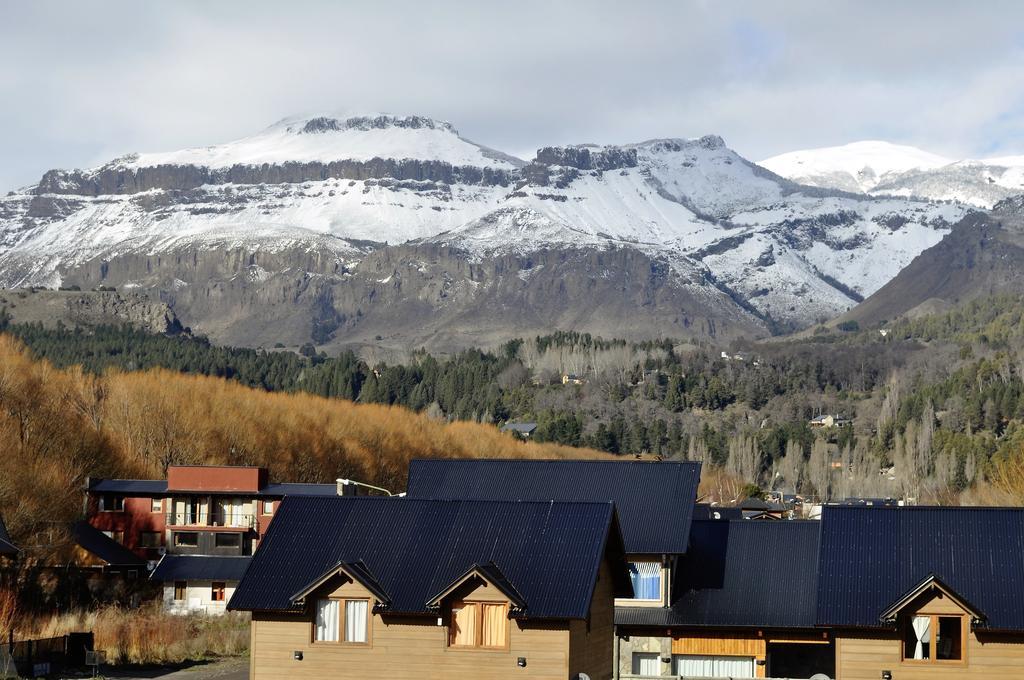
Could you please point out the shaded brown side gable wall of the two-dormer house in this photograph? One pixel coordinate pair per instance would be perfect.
(591, 647)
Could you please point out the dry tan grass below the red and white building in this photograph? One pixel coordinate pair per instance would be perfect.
(149, 635)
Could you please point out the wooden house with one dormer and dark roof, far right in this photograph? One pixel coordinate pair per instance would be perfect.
(922, 592)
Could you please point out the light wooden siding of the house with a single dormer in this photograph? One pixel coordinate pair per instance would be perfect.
(990, 656)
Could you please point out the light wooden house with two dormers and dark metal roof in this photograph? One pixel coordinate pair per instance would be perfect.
(434, 589)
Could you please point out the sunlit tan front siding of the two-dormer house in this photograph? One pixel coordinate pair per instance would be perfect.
(414, 649)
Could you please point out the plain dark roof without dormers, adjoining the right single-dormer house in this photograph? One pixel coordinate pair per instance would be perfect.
(741, 574)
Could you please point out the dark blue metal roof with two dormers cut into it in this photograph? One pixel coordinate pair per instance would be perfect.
(549, 552)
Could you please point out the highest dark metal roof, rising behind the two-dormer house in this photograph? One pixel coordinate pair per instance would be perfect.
(655, 500)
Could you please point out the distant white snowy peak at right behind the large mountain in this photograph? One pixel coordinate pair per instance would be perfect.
(880, 168)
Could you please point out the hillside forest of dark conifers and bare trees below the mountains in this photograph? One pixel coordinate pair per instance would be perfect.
(932, 408)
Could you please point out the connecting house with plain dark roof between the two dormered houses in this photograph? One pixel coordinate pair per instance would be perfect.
(743, 608)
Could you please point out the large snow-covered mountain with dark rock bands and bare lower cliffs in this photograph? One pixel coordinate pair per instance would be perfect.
(345, 228)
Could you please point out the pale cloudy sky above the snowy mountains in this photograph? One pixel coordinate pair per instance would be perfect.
(84, 82)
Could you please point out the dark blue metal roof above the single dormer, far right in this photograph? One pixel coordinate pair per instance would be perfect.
(873, 557)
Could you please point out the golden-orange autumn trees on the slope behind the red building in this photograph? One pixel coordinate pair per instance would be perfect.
(59, 428)
